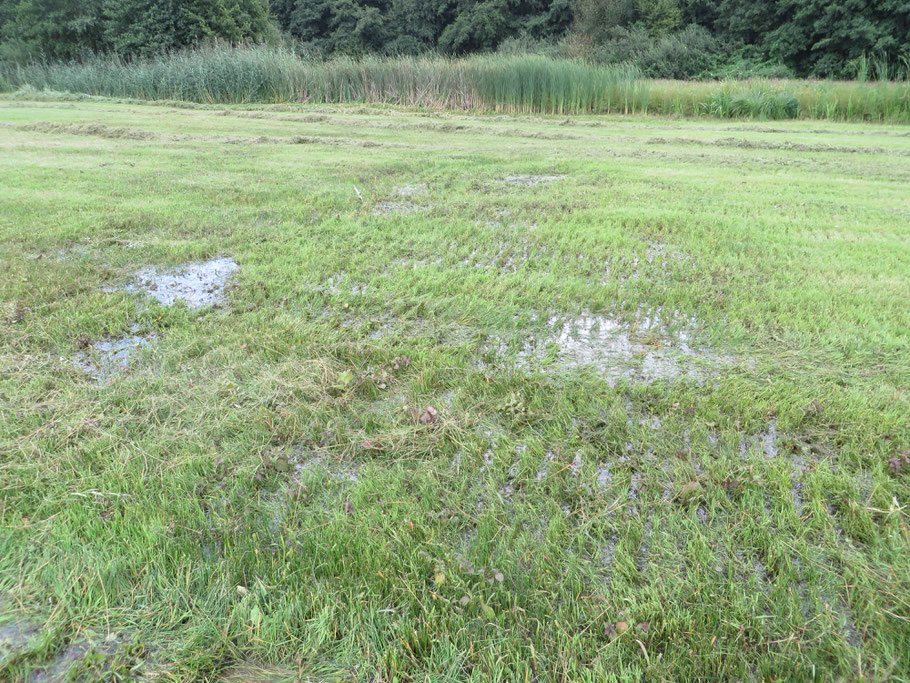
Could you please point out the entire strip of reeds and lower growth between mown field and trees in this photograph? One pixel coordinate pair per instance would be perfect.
(514, 84)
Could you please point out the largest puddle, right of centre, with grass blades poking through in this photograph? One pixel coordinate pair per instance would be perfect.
(645, 352)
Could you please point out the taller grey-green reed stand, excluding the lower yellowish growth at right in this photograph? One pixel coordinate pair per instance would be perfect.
(223, 74)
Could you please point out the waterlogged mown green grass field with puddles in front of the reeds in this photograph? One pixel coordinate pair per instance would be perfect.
(481, 398)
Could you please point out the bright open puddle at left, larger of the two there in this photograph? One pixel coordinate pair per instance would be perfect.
(197, 284)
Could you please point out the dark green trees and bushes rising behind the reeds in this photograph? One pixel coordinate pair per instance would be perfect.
(666, 38)
